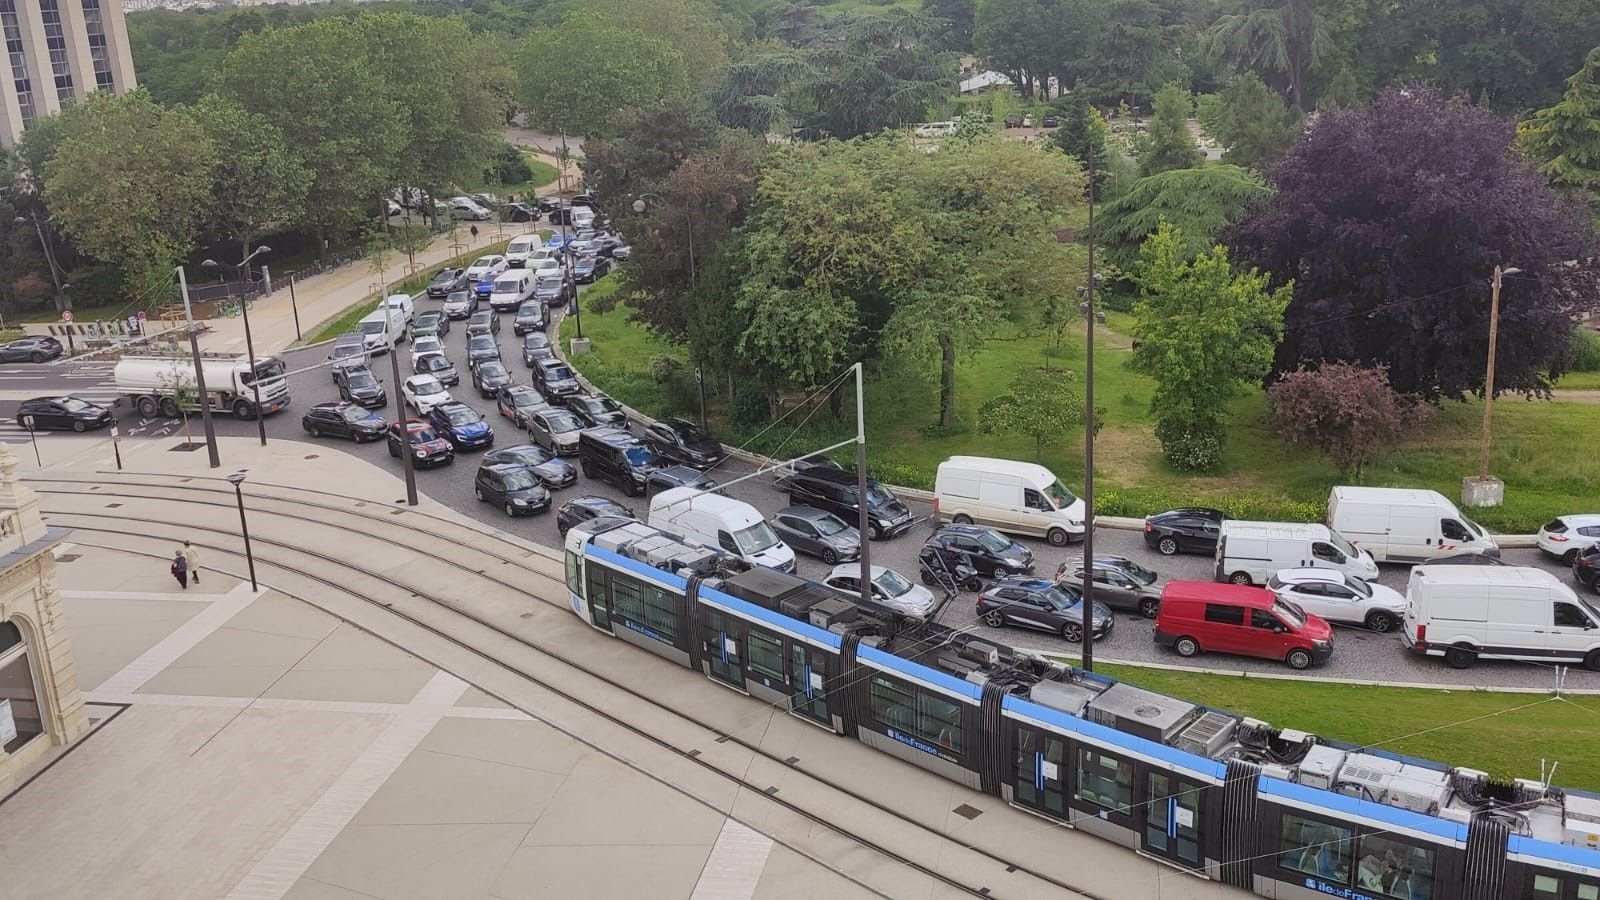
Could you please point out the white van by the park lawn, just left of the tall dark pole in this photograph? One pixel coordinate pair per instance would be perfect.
(1006, 496)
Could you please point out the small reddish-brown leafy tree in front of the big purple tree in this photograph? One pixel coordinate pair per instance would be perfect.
(1346, 412)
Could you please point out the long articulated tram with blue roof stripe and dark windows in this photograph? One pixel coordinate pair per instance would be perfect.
(1276, 813)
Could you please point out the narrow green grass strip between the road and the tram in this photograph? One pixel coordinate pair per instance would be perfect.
(1502, 734)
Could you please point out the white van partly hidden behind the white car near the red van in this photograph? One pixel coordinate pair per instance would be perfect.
(1249, 553)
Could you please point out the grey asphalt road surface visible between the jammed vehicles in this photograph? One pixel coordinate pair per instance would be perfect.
(1358, 654)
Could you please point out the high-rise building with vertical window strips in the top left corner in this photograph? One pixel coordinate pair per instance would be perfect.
(60, 50)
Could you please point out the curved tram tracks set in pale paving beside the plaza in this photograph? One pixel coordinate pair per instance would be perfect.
(393, 529)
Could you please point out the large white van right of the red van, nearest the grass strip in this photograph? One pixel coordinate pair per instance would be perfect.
(1500, 613)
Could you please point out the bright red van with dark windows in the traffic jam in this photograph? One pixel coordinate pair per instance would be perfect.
(1249, 622)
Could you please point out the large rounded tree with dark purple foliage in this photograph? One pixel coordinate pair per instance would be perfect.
(1390, 220)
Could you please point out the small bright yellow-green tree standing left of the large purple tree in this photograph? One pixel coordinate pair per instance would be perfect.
(1204, 332)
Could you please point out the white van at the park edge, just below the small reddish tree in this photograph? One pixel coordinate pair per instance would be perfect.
(1406, 526)
